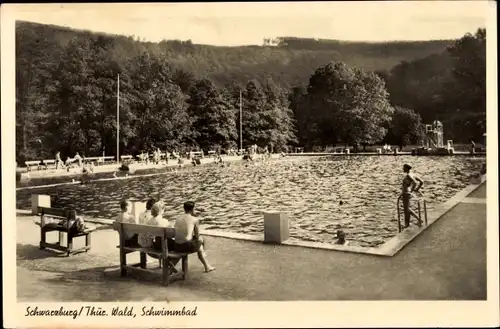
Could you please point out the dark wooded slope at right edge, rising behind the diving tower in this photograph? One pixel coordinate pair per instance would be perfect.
(448, 86)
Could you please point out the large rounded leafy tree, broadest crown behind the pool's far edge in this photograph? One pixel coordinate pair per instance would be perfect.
(348, 105)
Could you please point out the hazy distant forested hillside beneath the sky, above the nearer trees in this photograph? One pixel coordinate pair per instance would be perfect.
(289, 61)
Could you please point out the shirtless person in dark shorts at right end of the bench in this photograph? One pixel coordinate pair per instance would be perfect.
(187, 237)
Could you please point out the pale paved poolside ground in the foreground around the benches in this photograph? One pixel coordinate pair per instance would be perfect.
(447, 262)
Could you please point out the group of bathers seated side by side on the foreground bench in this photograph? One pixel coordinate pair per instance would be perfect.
(187, 237)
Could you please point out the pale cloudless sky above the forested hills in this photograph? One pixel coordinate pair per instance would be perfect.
(231, 24)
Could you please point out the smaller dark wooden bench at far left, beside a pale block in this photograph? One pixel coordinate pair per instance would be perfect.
(62, 227)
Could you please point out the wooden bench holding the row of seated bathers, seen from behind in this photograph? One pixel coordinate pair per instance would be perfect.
(165, 256)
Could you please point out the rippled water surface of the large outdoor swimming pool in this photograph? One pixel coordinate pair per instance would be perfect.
(310, 189)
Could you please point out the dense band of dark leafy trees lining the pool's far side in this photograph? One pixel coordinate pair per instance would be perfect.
(66, 96)
